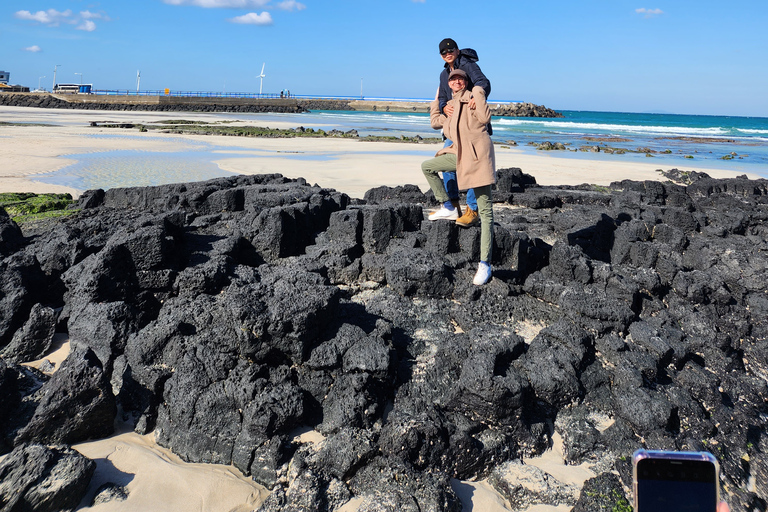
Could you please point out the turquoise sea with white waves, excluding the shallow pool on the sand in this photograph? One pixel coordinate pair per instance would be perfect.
(673, 140)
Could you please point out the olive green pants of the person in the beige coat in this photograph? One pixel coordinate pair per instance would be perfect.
(447, 162)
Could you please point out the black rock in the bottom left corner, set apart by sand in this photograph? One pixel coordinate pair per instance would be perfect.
(41, 478)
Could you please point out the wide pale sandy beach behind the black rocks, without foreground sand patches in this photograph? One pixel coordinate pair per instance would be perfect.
(41, 141)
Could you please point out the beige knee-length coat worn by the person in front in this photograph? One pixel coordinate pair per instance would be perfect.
(468, 129)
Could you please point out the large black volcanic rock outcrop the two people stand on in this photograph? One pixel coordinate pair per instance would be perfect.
(224, 315)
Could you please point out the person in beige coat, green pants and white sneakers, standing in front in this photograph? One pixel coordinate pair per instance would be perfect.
(471, 155)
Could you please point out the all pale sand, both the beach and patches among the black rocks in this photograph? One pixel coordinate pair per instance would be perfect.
(154, 477)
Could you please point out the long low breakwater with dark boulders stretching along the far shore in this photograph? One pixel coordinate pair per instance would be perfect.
(228, 104)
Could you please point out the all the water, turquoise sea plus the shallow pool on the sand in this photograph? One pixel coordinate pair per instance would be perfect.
(686, 142)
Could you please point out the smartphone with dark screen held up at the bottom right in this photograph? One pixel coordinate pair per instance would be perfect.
(666, 481)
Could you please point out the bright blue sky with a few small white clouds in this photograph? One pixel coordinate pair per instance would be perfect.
(675, 56)
